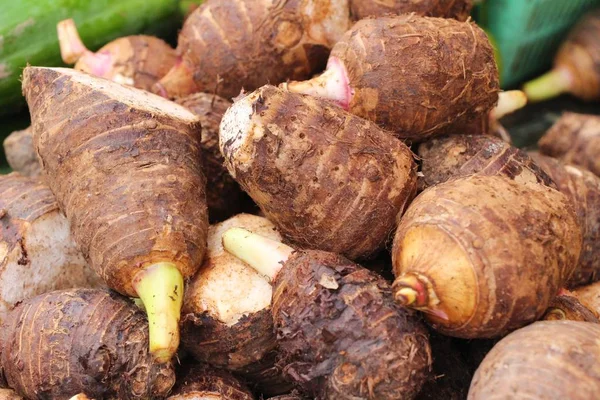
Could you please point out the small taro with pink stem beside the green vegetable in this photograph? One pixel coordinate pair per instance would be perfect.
(138, 60)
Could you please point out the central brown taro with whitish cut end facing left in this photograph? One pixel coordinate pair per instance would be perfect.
(327, 179)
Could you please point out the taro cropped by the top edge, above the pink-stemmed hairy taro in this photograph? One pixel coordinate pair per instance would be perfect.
(457, 9)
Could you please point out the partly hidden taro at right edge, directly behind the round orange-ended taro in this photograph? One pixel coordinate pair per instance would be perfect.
(583, 189)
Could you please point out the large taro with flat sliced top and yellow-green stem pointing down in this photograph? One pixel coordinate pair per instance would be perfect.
(126, 168)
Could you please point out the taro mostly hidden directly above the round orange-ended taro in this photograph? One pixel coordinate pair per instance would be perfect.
(462, 155)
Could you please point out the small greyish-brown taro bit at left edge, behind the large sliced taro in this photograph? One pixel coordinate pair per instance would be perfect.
(20, 154)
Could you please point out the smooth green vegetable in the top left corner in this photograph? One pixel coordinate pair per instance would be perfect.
(28, 32)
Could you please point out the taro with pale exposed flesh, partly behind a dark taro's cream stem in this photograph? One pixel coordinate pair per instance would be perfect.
(226, 314)
